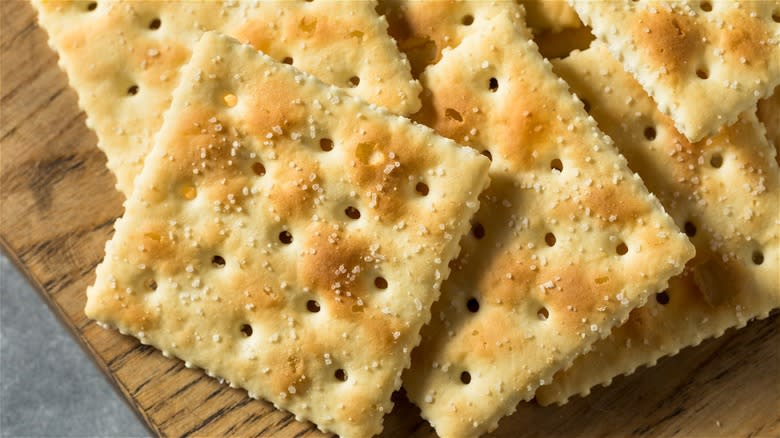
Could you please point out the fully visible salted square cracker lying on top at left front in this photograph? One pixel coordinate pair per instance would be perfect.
(287, 237)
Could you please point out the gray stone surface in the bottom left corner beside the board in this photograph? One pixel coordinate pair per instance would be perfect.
(48, 384)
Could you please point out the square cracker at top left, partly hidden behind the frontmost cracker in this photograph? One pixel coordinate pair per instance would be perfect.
(123, 58)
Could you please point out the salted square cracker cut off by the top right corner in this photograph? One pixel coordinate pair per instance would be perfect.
(703, 62)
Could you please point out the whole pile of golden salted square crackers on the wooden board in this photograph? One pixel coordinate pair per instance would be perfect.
(328, 200)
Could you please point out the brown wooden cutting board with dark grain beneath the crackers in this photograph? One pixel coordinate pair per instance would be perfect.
(58, 206)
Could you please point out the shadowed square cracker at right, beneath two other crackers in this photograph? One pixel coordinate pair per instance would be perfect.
(724, 191)
